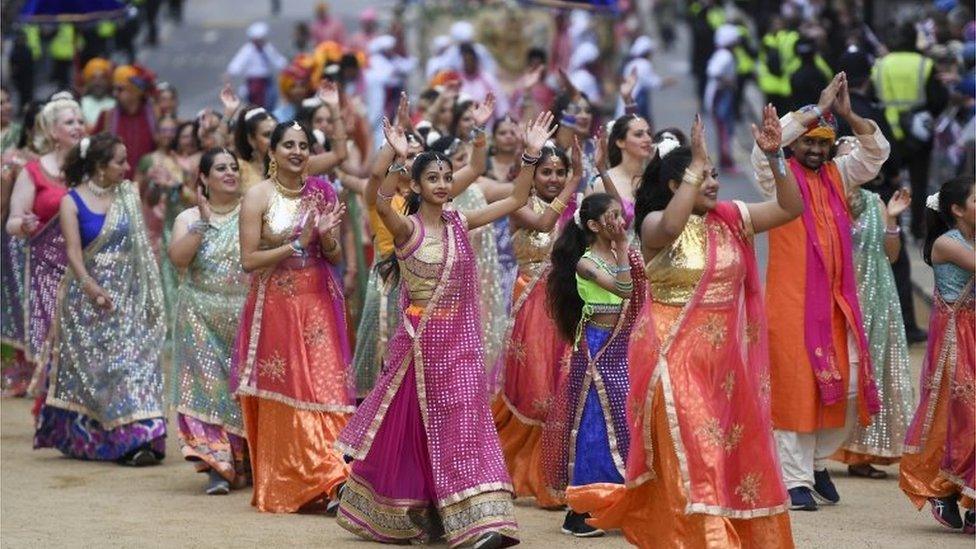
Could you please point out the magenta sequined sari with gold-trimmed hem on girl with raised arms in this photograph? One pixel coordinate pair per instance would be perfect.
(424, 437)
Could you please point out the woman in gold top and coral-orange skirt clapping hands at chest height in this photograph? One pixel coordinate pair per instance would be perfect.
(291, 357)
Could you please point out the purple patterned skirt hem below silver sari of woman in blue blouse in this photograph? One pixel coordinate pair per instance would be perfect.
(81, 437)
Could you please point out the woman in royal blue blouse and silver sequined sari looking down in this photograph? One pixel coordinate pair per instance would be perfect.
(104, 400)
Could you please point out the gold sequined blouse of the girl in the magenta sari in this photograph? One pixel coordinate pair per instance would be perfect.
(421, 260)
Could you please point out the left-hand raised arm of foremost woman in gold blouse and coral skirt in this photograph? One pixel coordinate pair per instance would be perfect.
(661, 228)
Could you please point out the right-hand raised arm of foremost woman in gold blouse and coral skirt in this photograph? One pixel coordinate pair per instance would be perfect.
(788, 203)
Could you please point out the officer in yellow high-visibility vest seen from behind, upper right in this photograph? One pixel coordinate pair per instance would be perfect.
(912, 96)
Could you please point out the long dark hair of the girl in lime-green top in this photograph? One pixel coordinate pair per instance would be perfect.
(565, 304)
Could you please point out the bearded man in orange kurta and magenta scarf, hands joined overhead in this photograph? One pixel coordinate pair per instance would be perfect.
(811, 426)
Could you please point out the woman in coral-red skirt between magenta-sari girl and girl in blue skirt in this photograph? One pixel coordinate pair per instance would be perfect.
(534, 349)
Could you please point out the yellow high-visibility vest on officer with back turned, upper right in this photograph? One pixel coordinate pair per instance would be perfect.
(899, 80)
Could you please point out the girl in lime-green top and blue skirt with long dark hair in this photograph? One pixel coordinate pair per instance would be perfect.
(593, 301)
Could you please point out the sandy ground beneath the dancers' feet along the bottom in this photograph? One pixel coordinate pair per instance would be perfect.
(50, 501)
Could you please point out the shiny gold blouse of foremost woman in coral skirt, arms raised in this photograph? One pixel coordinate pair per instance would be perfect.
(674, 273)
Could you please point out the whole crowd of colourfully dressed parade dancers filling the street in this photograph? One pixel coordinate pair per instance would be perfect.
(407, 307)
